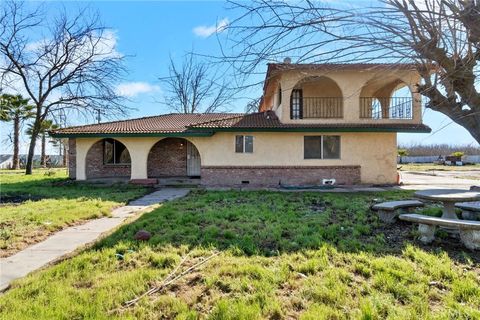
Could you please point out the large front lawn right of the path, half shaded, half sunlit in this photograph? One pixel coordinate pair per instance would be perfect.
(280, 256)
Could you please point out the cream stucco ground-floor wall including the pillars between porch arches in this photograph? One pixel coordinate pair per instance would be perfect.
(375, 153)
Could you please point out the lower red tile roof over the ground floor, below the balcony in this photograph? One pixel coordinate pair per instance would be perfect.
(194, 123)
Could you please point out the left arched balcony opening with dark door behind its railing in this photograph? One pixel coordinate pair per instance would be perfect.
(316, 98)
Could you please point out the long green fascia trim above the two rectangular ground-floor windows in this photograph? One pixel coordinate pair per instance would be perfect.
(404, 130)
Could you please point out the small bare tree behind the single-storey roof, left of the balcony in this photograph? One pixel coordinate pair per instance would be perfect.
(192, 87)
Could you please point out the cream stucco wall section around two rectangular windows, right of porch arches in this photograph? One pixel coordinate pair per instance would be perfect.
(375, 153)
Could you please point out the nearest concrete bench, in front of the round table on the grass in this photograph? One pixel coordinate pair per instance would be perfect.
(469, 230)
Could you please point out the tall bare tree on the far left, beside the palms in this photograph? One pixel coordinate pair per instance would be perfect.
(73, 67)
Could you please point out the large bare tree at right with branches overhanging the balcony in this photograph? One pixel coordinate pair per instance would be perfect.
(441, 38)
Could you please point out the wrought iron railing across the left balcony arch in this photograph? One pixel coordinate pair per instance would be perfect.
(322, 107)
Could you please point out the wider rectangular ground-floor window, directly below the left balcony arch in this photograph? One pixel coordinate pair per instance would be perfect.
(321, 147)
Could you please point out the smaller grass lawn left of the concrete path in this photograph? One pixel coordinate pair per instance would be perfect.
(34, 206)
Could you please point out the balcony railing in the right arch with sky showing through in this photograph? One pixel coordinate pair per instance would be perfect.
(386, 108)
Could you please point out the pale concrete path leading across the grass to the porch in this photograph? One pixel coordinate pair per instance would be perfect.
(68, 240)
